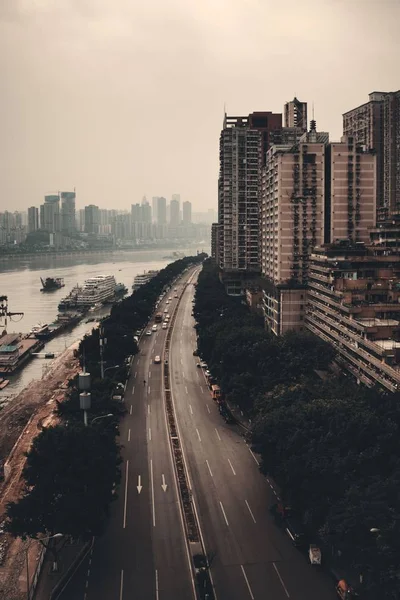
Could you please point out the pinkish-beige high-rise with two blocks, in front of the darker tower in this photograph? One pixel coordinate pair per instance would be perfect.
(312, 193)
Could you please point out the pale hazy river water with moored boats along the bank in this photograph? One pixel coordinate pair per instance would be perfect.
(20, 281)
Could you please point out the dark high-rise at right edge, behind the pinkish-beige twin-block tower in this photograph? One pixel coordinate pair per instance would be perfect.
(376, 124)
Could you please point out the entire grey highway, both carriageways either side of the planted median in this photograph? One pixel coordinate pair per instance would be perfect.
(143, 554)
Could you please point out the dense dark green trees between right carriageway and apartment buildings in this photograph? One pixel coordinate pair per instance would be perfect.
(332, 446)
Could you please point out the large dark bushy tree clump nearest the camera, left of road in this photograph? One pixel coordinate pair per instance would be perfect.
(69, 477)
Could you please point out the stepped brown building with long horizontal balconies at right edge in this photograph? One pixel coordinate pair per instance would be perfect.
(354, 304)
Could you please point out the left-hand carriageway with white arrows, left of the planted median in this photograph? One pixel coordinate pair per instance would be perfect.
(143, 554)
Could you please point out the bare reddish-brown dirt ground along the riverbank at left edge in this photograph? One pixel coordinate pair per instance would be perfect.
(34, 405)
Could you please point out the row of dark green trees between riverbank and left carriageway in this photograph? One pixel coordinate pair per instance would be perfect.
(71, 470)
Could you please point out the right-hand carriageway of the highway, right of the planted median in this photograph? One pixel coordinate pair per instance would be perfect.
(251, 557)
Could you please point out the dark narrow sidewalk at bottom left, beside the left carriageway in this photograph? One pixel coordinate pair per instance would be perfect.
(69, 559)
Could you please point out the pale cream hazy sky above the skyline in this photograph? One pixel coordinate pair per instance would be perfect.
(122, 98)
